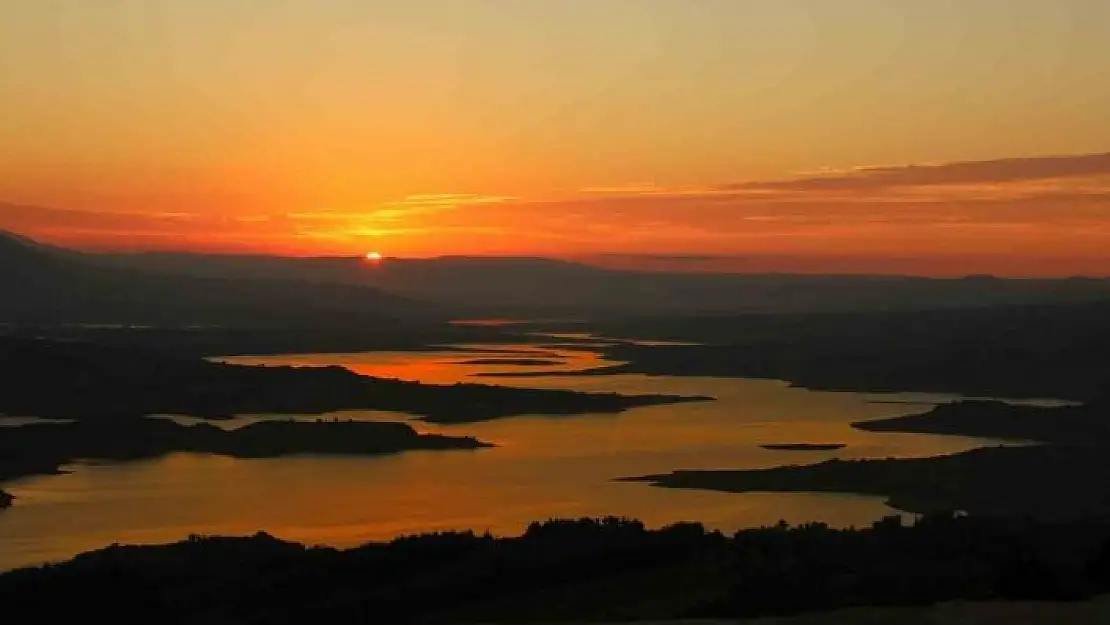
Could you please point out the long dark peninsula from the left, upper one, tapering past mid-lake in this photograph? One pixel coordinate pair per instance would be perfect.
(80, 381)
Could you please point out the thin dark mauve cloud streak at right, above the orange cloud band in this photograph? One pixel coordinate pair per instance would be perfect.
(965, 173)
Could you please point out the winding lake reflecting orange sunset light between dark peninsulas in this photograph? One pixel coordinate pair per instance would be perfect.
(543, 467)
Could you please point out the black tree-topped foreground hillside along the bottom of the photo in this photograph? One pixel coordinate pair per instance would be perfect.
(569, 571)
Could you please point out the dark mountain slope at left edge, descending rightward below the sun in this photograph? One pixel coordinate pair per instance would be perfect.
(45, 285)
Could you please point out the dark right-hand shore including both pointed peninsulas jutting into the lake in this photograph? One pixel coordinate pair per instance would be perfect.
(1068, 477)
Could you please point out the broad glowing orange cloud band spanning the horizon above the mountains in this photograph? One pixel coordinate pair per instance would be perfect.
(1013, 206)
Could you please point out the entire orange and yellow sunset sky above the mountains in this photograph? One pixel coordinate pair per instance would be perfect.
(880, 136)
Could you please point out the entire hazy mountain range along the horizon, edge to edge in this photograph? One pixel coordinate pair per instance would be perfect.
(46, 285)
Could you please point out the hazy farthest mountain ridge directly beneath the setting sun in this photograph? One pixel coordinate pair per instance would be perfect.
(532, 287)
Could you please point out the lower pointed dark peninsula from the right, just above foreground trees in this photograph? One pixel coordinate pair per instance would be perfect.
(1053, 482)
